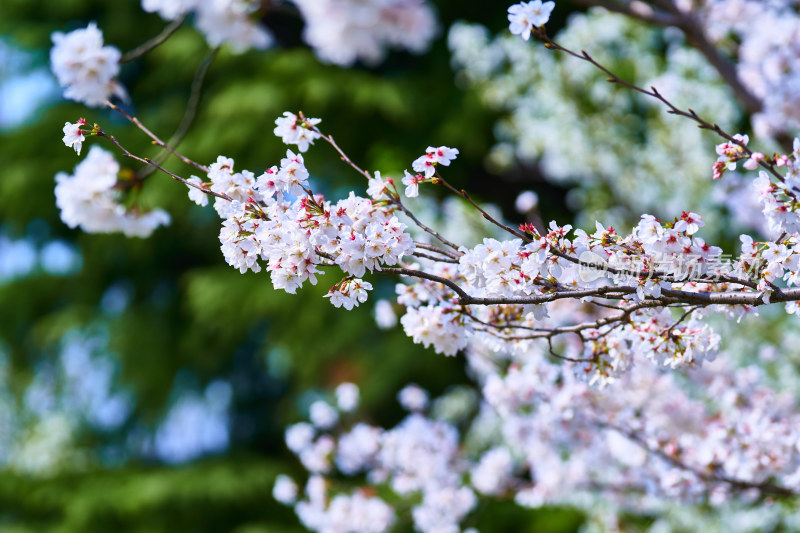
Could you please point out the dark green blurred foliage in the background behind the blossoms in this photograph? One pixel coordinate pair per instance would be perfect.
(191, 319)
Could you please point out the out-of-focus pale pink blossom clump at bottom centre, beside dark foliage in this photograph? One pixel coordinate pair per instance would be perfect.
(419, 458)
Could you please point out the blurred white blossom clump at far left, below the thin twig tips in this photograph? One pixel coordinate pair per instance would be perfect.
(89, 199)
